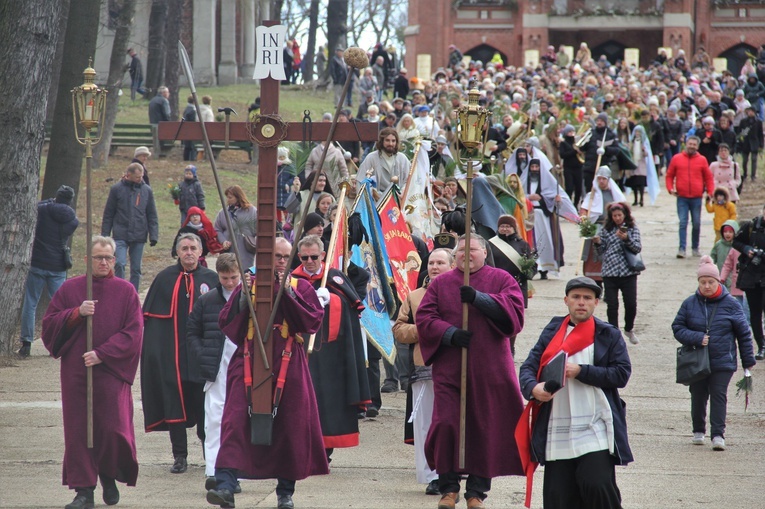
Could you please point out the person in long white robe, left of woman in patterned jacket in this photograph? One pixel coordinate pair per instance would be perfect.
(549, 200)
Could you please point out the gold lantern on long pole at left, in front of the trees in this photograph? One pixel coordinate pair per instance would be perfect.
(88, 110)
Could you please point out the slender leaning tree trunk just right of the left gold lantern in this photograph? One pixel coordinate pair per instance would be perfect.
(114, 81)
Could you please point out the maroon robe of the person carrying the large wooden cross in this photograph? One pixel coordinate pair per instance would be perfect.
(297, 447)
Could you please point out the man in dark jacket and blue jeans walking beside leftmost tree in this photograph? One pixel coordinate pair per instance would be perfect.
(56, 222)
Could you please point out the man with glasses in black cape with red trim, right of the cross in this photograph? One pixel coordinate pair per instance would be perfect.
(337, 364)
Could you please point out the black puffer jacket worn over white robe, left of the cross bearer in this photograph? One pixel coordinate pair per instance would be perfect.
(203, 335)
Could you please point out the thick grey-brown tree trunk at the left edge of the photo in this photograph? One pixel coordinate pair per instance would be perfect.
(28, 32)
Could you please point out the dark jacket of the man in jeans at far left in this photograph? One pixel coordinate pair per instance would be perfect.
(55, 224)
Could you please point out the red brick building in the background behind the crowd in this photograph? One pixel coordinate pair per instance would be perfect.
(521, 29)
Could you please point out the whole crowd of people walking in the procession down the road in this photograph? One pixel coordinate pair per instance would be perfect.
(564, 141)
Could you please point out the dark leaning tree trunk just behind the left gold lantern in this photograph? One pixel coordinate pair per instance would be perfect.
(65, 155)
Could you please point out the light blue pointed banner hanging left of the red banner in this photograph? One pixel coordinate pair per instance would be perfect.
(372, 256)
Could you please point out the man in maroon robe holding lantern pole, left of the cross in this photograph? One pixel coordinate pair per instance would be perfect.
(117, 324)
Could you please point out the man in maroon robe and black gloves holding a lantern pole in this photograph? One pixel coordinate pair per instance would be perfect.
(495, 303)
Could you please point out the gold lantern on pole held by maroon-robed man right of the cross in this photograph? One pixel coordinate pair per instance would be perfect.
(471, 120)
